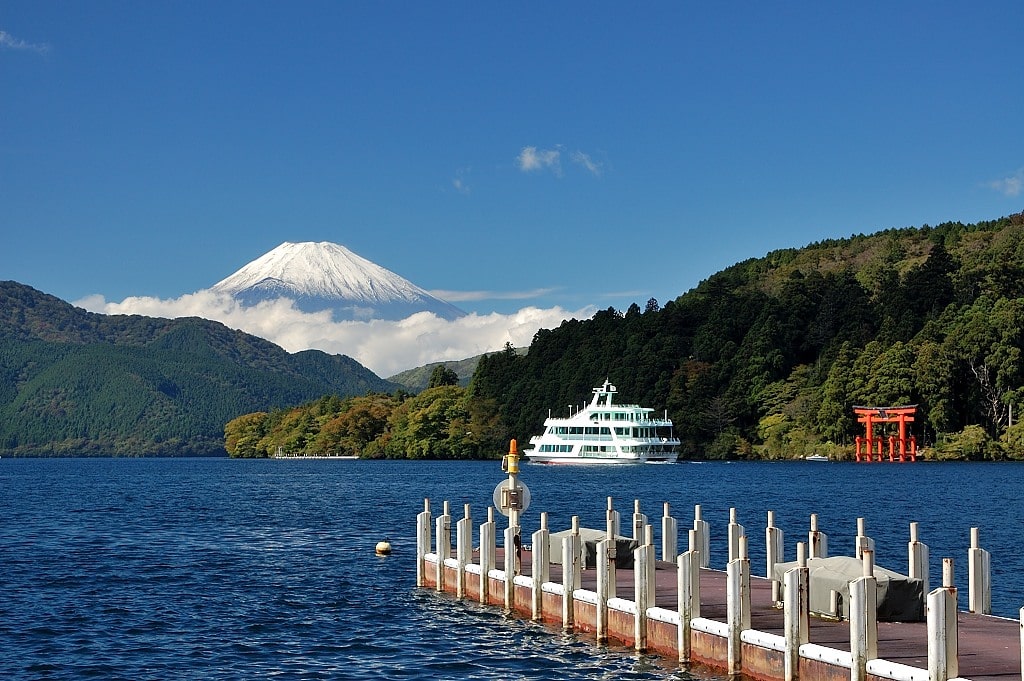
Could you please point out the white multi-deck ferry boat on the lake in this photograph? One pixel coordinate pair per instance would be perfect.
(605, 433)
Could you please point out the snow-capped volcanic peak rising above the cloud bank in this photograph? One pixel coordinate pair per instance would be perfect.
(323, 276)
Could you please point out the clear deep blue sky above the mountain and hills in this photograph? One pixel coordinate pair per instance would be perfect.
(520, 155)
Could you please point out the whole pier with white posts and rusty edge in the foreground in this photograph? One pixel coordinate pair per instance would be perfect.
(728, 621)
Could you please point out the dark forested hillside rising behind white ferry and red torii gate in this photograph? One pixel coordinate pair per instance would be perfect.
(767, 358)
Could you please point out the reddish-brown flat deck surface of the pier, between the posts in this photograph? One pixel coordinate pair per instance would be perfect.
(990, 648)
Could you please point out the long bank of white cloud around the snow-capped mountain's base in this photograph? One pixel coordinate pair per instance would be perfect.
(385, 348)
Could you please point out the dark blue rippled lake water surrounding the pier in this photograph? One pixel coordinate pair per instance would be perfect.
(198, 569)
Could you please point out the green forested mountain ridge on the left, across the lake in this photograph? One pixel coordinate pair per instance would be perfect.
(77, 384)
